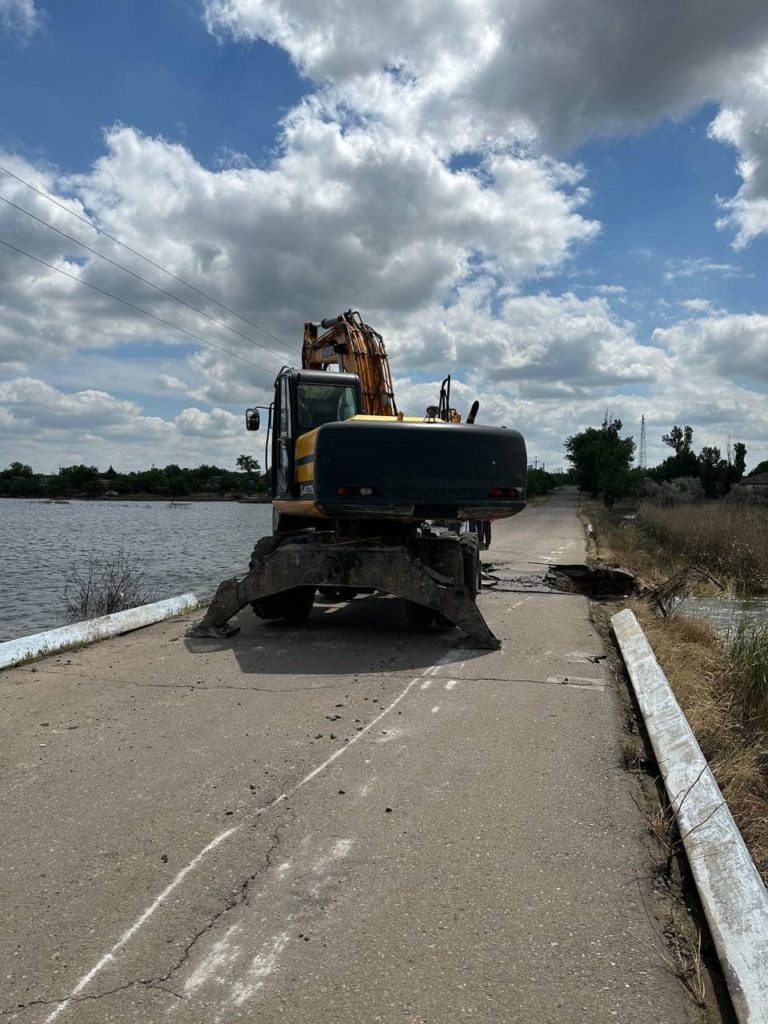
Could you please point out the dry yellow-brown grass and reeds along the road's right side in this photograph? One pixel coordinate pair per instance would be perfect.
(722, 687)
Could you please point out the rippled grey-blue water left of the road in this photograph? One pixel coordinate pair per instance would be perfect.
(185, 547)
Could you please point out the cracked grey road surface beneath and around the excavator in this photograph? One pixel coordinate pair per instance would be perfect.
(347, 822)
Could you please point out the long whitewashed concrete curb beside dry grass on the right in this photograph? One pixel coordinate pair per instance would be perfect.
(733, 893)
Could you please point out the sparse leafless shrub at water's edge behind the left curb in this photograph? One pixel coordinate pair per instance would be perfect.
(105, 586)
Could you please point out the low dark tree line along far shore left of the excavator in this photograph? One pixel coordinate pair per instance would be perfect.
(20, 481)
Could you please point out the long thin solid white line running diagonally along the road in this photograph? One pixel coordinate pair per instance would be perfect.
(109, 958)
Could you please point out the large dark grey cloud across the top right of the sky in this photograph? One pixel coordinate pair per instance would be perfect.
(567, 69)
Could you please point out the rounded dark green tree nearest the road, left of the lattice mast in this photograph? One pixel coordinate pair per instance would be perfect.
(602, 460)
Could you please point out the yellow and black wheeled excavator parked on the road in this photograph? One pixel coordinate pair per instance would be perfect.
(366, 499)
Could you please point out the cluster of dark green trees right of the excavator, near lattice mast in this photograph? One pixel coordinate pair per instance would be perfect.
(603, 464)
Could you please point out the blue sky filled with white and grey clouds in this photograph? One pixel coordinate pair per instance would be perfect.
(564, 204)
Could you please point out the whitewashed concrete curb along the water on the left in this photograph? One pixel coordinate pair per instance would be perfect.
(79, 634)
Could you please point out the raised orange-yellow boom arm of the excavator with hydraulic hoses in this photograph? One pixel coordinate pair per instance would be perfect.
(356, 349)
